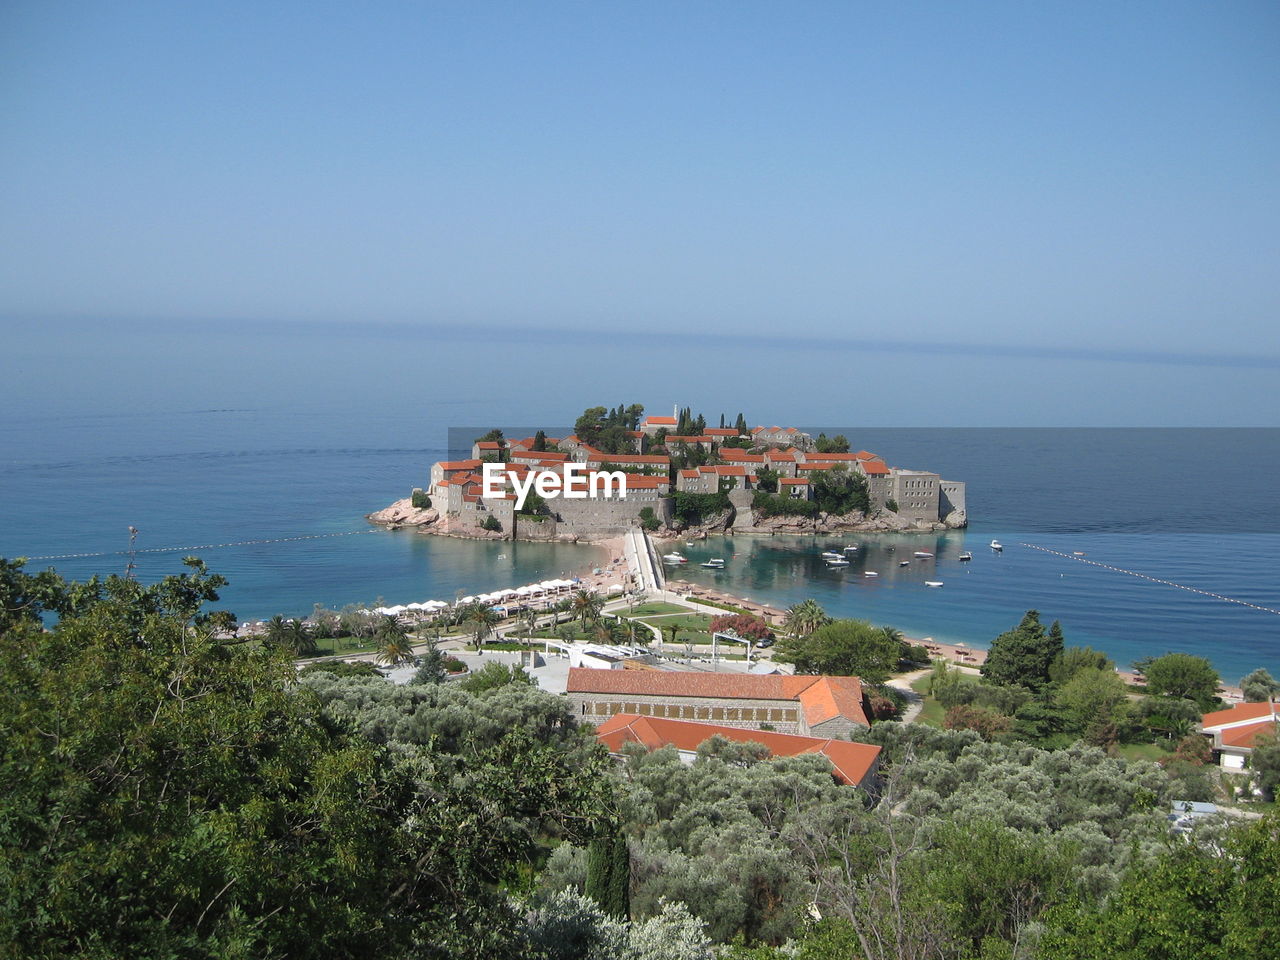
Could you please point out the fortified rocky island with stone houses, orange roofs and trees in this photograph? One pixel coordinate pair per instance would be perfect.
(674, 477)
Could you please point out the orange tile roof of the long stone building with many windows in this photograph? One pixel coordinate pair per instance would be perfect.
(828, 697)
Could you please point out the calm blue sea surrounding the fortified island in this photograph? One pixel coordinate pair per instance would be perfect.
(243, 446)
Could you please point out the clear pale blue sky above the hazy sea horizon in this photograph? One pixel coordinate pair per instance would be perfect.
(1078, 180)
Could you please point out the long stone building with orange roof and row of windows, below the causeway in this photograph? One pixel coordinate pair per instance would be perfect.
(793, 705)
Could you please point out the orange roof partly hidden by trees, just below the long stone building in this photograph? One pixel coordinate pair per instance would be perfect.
(852, 762)
